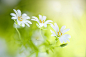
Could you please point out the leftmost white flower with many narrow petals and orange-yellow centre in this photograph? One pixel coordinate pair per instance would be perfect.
(21, 19)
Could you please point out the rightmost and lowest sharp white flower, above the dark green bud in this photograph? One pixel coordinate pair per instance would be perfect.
(59, 34)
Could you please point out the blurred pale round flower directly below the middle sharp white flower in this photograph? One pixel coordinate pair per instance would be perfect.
(37, 39)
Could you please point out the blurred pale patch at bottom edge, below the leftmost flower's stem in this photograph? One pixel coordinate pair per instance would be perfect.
(23, 52)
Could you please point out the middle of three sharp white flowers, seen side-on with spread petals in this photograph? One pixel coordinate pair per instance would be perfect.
(41, 21)
